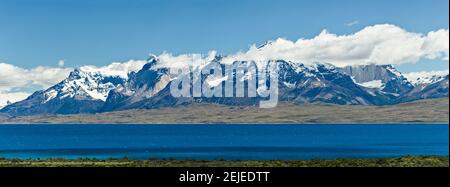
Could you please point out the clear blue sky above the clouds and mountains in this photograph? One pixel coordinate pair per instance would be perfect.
(98, 32)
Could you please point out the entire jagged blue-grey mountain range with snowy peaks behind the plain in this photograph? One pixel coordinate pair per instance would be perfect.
(87, 90)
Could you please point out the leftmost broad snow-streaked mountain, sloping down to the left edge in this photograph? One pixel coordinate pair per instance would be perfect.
(84, 91)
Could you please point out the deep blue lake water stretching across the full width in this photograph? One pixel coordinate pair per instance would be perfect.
(237, 142)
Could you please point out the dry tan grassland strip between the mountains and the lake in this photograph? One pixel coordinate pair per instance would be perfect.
(433, 110)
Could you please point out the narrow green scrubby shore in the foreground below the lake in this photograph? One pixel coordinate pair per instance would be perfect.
(407, 161)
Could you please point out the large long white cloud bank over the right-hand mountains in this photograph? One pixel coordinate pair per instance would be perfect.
(378, 44)
